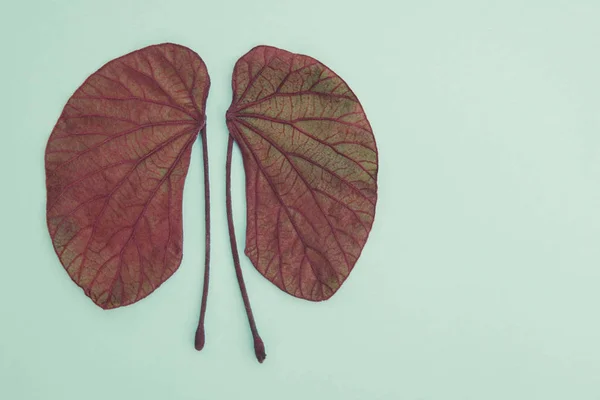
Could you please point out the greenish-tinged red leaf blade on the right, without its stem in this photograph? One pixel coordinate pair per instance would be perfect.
(311, 170)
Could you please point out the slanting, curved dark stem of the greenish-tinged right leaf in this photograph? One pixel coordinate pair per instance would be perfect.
(259, 347)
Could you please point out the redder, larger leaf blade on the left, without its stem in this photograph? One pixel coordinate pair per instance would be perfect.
(116, 163)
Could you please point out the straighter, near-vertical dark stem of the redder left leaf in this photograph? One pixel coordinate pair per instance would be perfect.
(200, 336)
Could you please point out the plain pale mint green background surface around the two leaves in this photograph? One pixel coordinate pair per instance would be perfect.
(481, 276)
